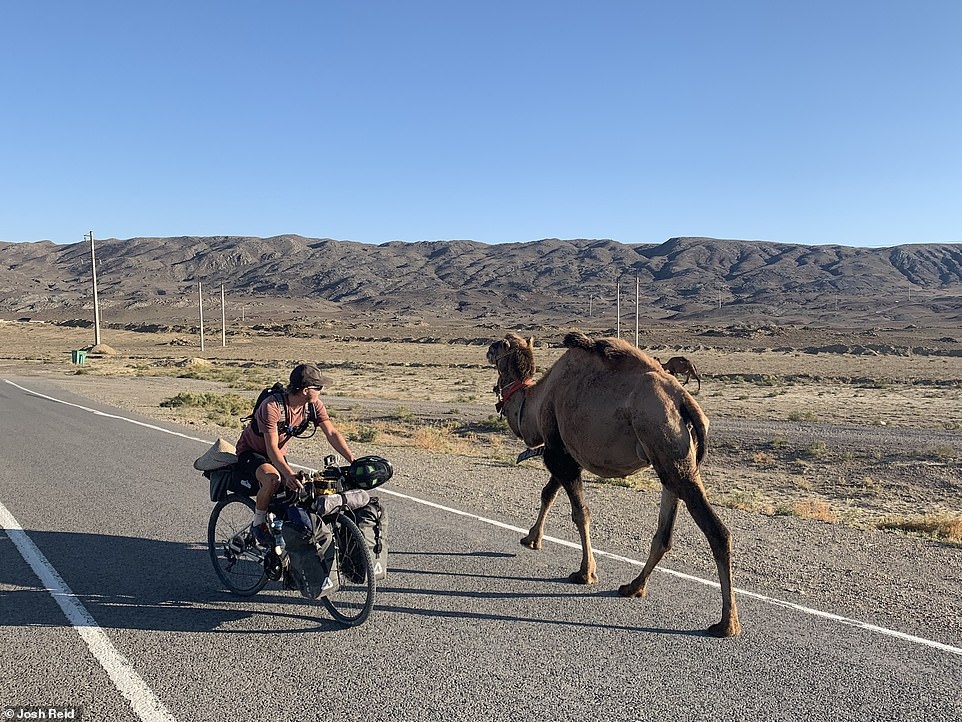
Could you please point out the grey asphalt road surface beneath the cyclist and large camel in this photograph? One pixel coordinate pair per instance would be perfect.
(128, 621)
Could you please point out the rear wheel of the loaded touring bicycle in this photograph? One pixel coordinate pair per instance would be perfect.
(237, 559)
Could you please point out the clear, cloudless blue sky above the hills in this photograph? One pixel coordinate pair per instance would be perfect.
(498, 121)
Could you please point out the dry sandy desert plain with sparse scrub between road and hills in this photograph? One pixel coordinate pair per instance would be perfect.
(860, 427)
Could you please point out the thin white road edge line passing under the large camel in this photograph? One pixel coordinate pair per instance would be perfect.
(562, 542)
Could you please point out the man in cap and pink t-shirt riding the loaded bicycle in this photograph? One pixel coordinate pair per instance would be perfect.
(262, 447)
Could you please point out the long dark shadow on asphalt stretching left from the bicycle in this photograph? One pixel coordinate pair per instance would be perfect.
(143, 584)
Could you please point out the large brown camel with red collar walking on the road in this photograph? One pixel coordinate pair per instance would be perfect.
(608, 408)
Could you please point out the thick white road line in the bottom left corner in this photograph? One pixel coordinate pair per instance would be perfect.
(145, 703)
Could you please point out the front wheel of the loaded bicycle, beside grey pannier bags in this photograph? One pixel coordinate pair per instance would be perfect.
(353, 601)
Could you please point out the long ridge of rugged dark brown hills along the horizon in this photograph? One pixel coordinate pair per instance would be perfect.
(701, 280)
